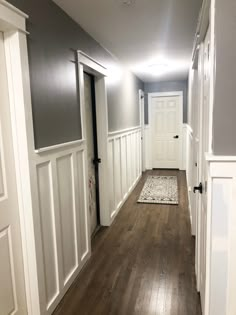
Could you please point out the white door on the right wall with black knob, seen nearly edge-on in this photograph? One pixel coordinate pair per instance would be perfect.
(204, 143)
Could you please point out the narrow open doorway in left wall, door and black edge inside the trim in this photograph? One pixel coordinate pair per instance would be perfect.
(92, 151)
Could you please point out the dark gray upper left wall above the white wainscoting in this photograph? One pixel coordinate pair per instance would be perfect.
(54, 38)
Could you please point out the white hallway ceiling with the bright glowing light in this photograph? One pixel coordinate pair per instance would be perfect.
(154, 38)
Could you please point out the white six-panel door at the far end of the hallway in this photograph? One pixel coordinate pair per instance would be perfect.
(165, 126)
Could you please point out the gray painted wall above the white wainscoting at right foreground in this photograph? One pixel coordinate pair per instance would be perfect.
(224, 112)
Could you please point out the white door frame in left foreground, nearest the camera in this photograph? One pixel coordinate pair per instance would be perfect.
(12, 24)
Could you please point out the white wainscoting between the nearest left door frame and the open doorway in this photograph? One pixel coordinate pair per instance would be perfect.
(63, 240)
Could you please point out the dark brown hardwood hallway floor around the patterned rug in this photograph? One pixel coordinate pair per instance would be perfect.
(143, 264)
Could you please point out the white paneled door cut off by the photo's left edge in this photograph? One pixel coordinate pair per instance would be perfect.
(12, 288)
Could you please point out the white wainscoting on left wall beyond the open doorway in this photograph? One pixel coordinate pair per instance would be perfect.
(124, 158)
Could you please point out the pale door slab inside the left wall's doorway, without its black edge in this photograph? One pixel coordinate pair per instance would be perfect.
(90, 153)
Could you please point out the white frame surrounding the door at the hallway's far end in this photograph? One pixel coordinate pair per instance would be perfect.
(181, 153)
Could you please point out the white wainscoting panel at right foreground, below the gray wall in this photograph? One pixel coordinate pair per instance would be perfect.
(221, 246)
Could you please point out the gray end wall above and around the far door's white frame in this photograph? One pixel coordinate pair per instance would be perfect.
(168, 86)
